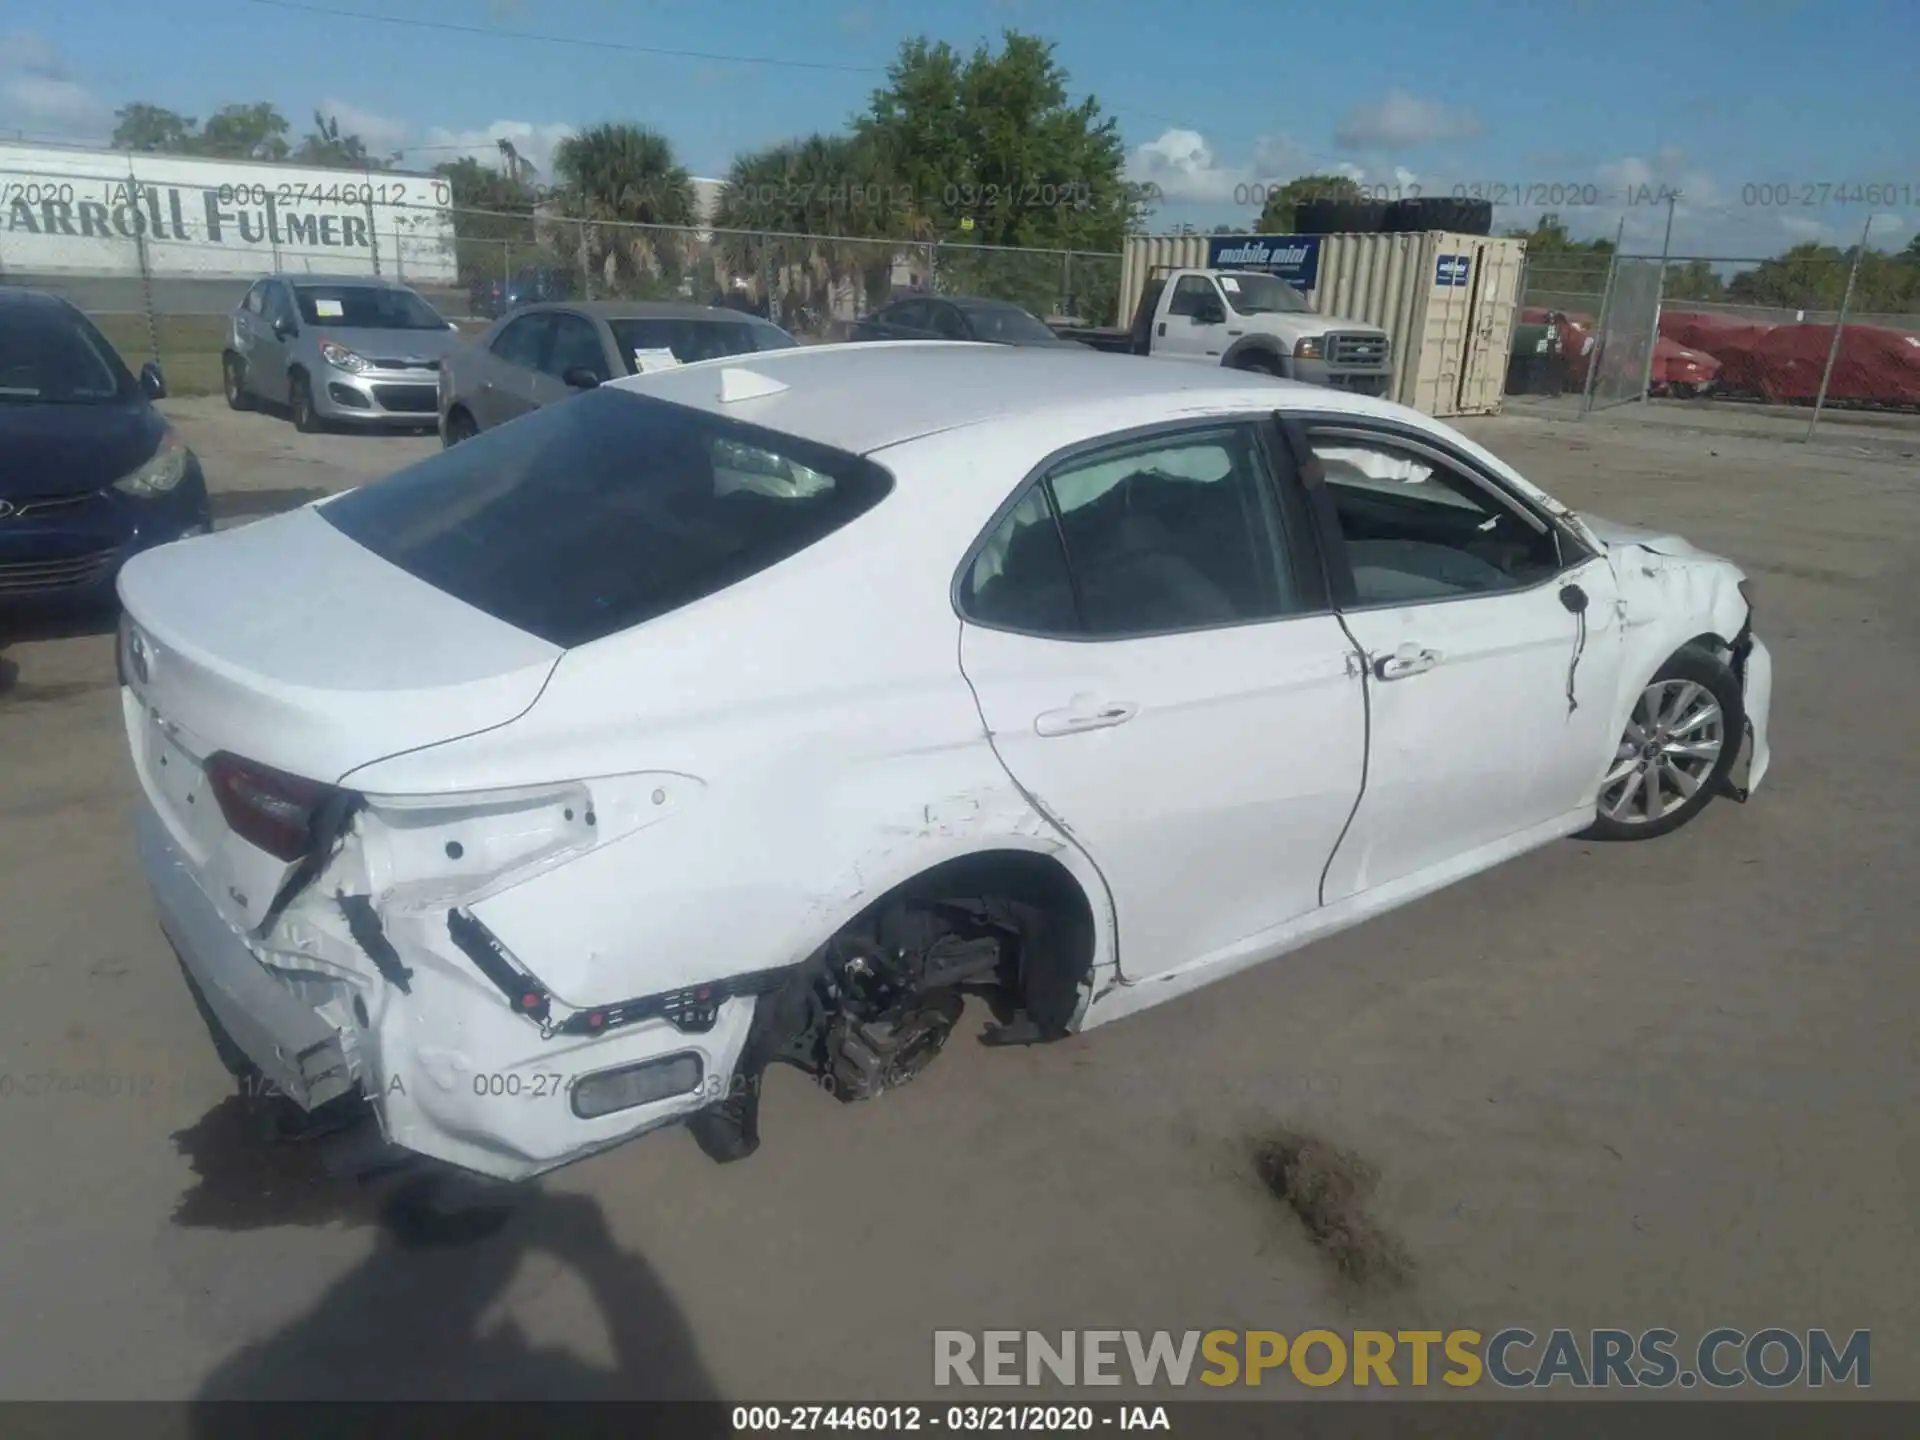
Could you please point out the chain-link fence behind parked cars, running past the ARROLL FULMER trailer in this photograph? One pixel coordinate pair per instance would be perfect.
(160, 262)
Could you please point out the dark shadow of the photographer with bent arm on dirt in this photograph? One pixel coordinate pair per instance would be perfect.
(412, 1320)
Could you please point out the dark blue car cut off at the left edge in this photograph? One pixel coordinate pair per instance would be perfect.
(89, 471)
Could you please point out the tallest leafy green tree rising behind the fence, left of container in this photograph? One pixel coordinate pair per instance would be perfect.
(992, 151)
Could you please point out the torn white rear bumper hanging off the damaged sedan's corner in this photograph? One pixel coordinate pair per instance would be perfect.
(452, 1067)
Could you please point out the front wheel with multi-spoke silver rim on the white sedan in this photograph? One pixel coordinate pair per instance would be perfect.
(1681, 742)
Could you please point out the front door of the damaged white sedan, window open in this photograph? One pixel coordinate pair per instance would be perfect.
(1493, 654)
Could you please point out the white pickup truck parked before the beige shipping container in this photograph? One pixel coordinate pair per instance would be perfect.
(1251, 322)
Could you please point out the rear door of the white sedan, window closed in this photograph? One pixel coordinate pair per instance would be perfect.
(1161, 673)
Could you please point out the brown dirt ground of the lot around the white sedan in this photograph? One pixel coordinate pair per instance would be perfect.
(1648, 1086)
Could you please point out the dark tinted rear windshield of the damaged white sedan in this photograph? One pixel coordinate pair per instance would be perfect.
(583, 519)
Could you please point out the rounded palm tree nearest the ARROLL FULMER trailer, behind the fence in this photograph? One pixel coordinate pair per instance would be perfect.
(619, 178)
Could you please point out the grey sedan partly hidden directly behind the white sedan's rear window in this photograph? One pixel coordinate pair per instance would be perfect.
(540, 354)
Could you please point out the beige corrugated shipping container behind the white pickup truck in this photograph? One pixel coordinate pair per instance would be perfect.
(1445, 300)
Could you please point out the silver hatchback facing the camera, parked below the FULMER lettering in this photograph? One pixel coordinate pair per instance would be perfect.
(360, 350)
